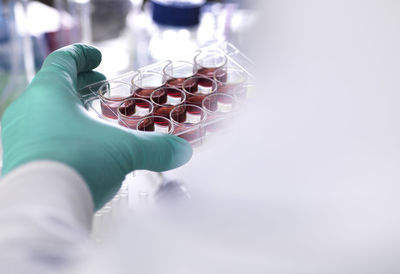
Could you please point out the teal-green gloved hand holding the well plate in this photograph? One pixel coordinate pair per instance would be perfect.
(49, 122)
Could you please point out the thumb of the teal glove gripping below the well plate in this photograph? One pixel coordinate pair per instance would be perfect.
(154, 151)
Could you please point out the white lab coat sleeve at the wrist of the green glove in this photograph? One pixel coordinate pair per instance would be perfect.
(45, 218)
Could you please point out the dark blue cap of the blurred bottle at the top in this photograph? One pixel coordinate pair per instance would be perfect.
(176, 13)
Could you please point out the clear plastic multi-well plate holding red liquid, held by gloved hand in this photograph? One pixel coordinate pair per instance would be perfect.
(194, 117)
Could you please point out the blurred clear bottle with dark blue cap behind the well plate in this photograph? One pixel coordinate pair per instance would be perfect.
(167, 30)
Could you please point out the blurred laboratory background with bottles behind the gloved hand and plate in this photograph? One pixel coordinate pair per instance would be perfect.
(130, 33)
